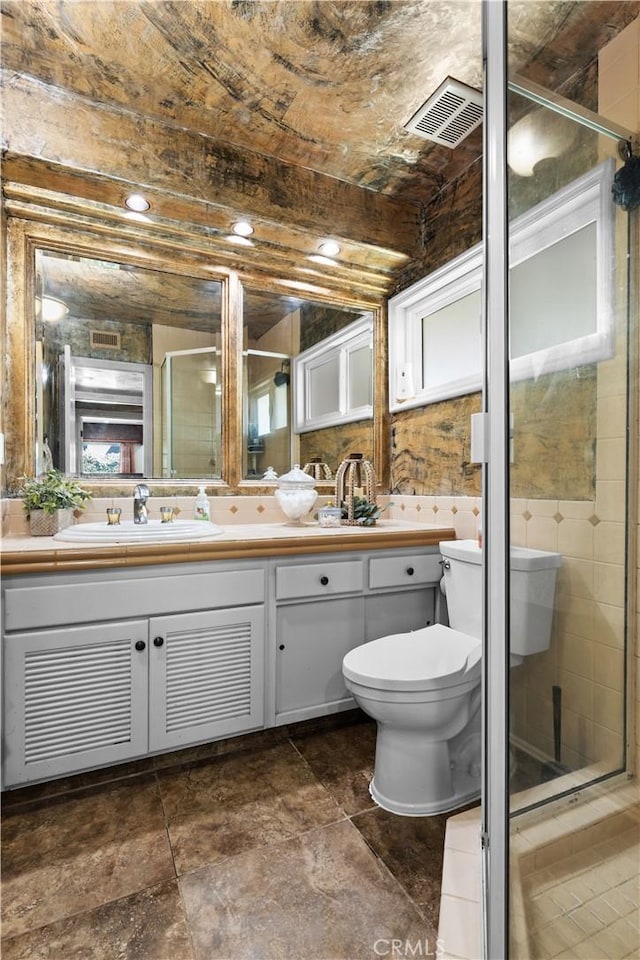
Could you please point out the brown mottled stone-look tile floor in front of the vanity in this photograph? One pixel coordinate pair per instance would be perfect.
(269, 847)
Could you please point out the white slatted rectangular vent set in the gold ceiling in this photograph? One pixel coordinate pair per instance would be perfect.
(449, 115)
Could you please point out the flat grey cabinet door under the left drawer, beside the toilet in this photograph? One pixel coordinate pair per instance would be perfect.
(312, 639)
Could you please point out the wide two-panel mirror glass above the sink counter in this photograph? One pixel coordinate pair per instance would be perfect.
(130, 374)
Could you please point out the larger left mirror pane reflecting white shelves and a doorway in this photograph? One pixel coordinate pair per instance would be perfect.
(128, 375)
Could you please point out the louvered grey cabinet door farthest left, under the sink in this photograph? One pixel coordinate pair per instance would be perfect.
(74, 698)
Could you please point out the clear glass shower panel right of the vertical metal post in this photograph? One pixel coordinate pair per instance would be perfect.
(571, 388)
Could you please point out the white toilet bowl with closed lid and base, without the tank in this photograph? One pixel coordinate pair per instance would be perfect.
(423, 690)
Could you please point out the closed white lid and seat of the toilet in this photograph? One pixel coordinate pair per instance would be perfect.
(413, 661)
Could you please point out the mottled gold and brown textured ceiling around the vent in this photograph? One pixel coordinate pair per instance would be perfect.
(319, 84)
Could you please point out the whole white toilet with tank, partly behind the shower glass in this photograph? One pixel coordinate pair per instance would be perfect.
(423, 687)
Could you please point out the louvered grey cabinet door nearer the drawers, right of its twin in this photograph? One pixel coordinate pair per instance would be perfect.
(206, 675)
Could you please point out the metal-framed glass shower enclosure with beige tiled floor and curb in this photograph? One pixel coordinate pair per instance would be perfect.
(560, 807)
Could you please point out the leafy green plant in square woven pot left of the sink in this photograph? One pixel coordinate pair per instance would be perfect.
(49, 501)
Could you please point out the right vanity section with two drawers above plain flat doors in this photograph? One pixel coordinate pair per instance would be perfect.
(325, 609)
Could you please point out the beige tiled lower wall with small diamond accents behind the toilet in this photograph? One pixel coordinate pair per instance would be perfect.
(586, 656)
